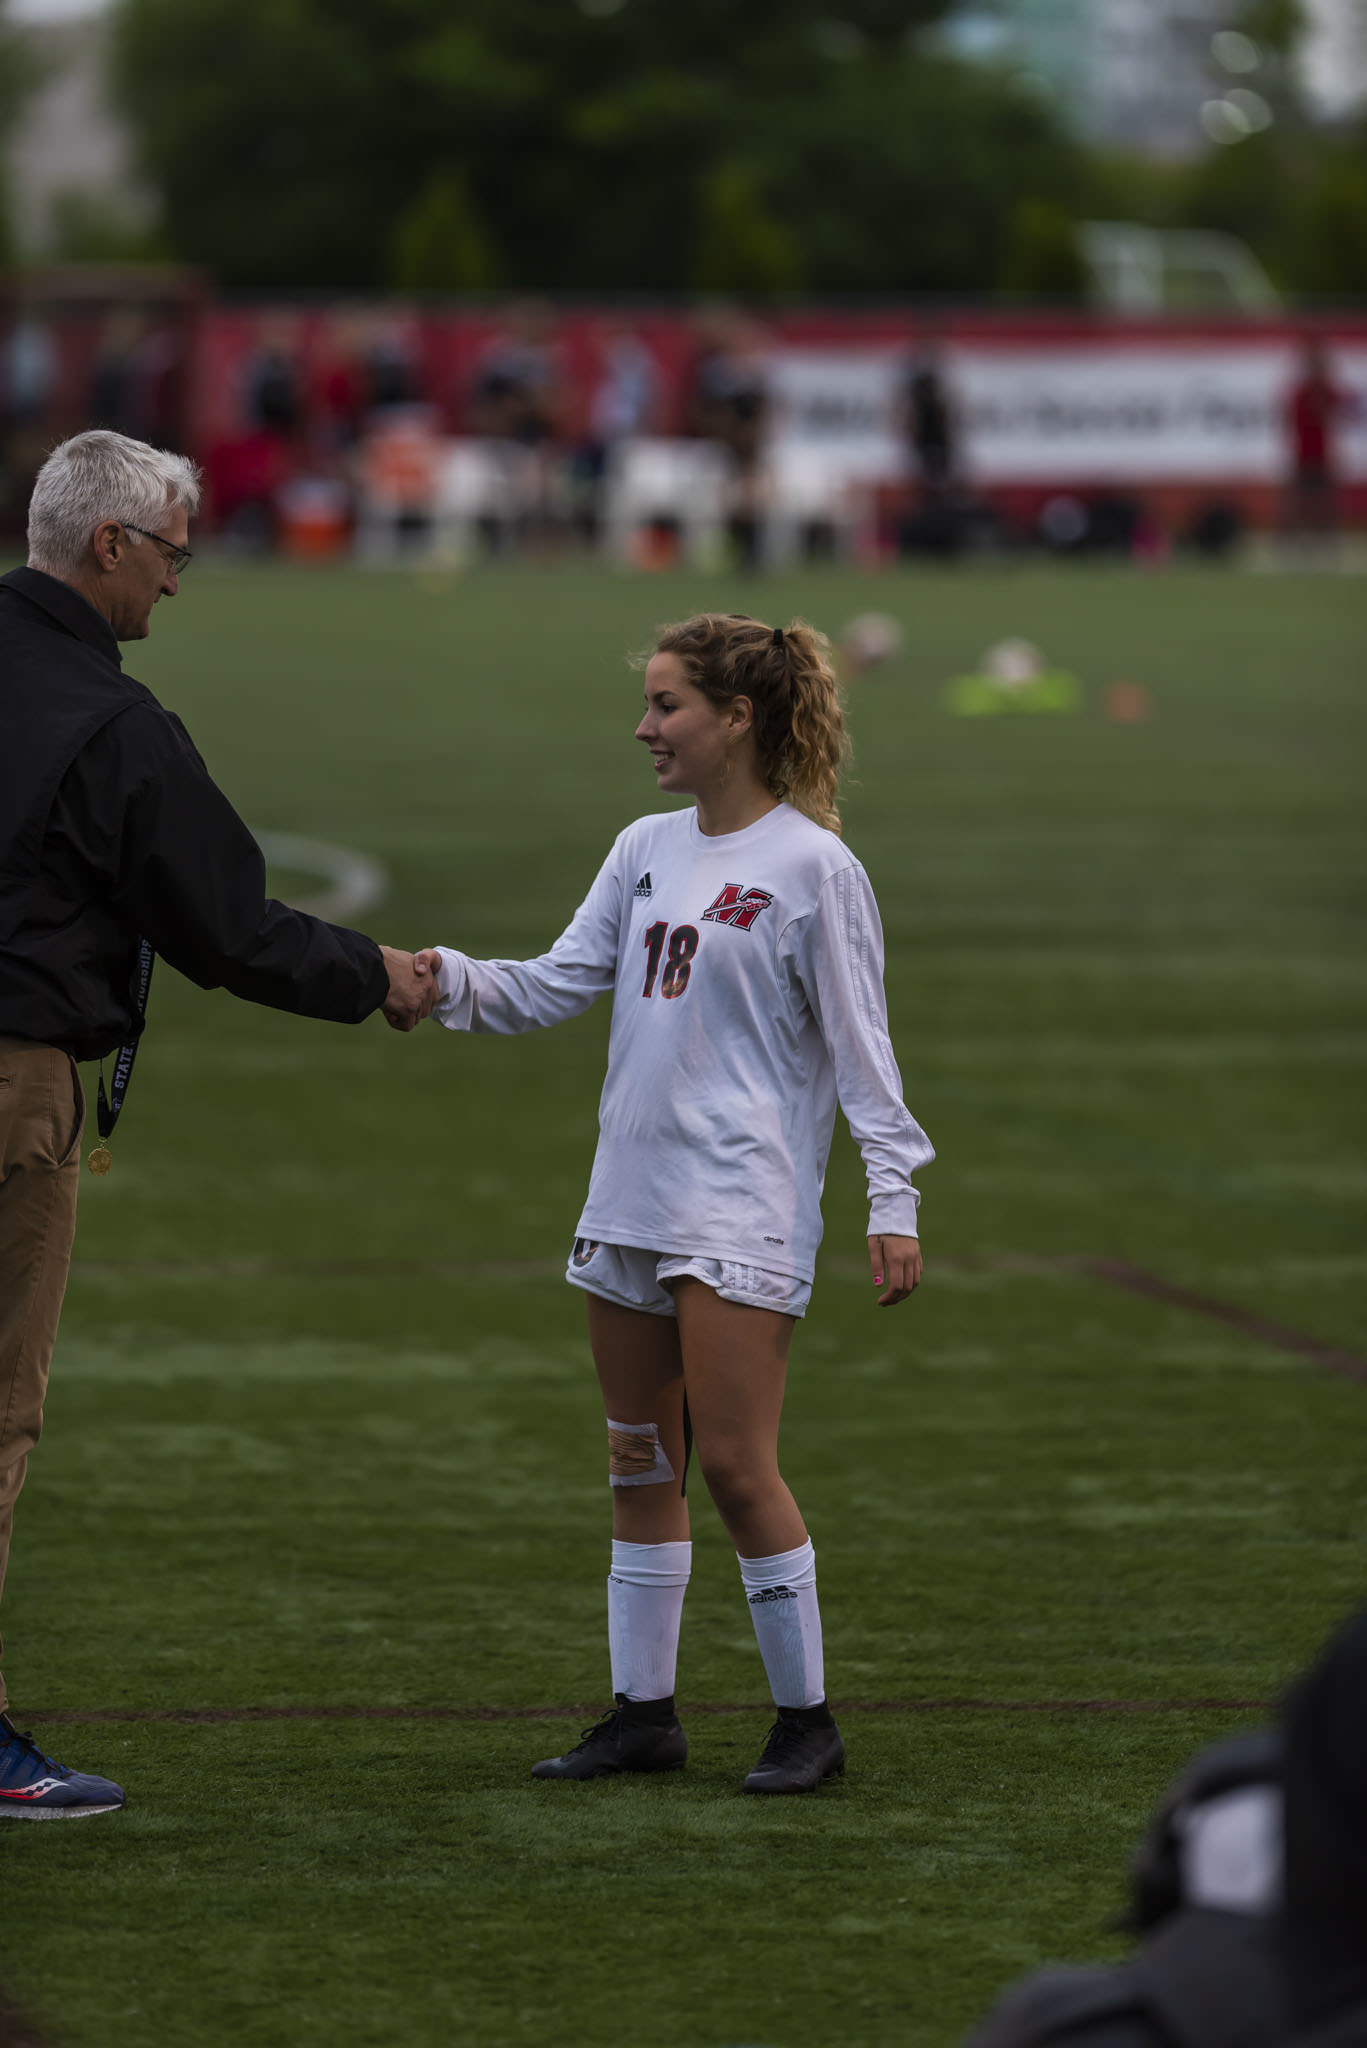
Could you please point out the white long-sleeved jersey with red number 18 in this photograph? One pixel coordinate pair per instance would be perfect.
(747, 980)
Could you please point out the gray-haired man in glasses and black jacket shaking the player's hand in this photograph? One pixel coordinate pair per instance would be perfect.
(114, 847)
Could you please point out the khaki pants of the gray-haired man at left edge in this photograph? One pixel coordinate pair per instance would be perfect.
(42, 1111)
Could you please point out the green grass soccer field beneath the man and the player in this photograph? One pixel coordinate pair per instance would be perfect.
(325, 1435)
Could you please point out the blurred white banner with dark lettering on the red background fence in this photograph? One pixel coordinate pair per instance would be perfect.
(1079, 413)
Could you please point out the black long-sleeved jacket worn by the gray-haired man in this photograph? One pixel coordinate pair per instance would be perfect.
(112, 830)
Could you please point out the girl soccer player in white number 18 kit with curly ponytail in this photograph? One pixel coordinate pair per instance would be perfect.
(743, 949)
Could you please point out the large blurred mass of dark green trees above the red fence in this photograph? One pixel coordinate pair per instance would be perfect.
(651, 146)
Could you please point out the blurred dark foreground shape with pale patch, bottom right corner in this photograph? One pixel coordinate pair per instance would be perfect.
(1249, 1891)
